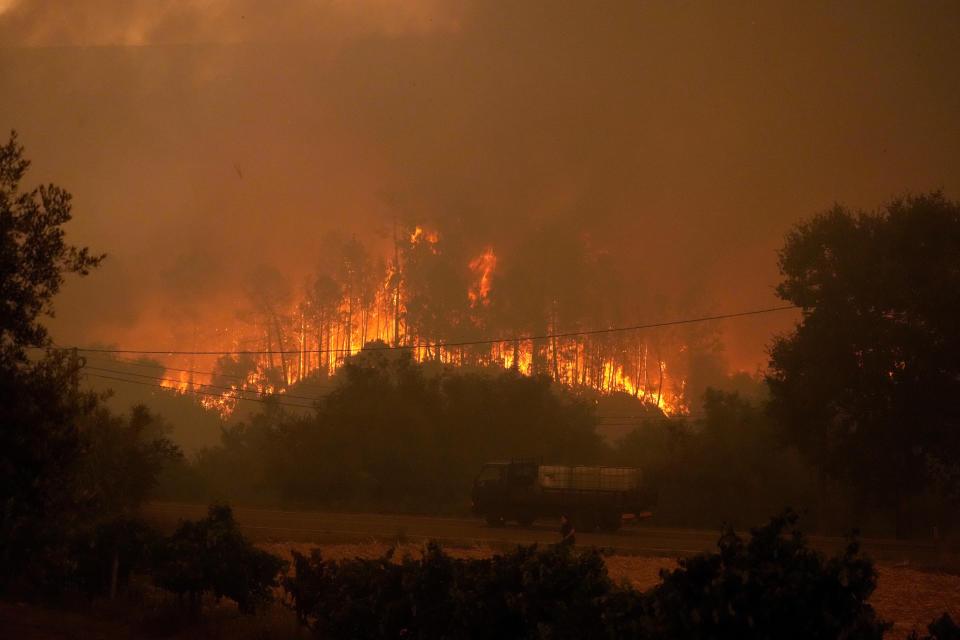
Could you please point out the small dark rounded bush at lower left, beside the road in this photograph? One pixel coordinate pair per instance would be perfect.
(212, 556)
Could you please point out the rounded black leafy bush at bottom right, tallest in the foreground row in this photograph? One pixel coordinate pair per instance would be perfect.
(773, 586)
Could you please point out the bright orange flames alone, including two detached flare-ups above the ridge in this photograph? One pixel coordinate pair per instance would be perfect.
(312, 346)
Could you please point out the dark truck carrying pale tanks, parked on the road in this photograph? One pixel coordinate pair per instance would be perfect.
(591, 496)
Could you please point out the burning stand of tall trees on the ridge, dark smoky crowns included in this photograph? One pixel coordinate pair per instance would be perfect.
(439, 295)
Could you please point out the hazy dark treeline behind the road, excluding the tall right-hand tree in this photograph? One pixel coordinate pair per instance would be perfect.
(397, 435)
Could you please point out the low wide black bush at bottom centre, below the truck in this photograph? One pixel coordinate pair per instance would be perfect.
(531, 592)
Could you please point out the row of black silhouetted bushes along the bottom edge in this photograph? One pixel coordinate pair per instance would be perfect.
(770, 585)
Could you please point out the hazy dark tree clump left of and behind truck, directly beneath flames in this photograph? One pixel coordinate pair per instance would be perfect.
(395, 435)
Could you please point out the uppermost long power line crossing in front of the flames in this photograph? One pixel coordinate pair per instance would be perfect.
(546, 336)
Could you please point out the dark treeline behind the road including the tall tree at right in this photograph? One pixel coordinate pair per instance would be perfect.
(859, 430)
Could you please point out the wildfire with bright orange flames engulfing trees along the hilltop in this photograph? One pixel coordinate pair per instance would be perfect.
(413, 303)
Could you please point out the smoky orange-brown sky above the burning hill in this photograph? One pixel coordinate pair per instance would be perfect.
(200, 138)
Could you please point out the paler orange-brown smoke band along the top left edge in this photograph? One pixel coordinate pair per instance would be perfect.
(134, 23)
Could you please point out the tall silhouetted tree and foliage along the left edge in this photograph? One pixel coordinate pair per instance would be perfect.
(66, 464)
